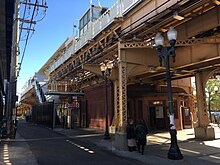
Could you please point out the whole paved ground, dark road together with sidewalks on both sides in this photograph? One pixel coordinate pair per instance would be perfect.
(38, 145)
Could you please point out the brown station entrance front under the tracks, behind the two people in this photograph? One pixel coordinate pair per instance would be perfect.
(147, 103)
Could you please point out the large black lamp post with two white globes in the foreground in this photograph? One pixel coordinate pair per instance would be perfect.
(165, 52)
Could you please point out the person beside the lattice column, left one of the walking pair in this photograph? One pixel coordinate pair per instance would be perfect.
(130, 130)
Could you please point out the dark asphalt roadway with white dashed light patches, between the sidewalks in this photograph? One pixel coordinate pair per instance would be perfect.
(51, 148)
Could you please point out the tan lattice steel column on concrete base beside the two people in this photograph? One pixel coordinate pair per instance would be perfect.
(120, 136)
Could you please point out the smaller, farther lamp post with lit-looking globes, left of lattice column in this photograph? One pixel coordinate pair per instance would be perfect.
(106, 68)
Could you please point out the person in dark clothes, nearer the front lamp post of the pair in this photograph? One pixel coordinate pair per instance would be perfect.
(141, 132)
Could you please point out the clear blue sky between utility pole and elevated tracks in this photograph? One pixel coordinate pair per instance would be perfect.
(50, 33)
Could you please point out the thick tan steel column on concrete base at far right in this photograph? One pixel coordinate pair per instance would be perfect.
(203, 131)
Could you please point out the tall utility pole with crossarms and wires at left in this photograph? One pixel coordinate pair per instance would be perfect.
(14, 68)
